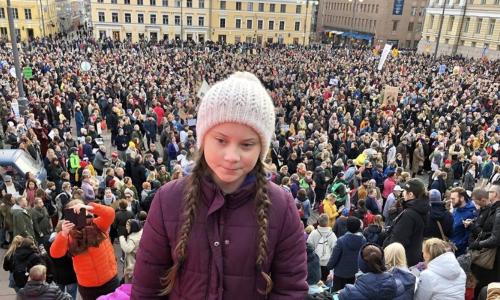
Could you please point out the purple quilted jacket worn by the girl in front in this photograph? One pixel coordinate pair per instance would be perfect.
(220, 262)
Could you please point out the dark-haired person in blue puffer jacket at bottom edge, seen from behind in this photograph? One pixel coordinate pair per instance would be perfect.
(375, 282)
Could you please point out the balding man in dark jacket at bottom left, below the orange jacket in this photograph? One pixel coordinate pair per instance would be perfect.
(38, 288)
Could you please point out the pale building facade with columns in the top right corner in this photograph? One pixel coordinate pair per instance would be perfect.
(469, 27)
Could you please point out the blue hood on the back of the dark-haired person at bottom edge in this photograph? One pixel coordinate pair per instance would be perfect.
(377, 286)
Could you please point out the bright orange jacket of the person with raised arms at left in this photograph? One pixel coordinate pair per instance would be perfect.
(97, 265)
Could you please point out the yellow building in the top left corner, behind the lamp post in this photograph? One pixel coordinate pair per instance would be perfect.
(28, 18)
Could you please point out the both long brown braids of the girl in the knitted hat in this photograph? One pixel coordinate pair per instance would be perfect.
(191, 200)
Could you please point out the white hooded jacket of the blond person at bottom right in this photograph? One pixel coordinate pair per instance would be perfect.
(443, 279)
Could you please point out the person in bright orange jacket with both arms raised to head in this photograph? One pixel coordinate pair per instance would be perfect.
(91, 250)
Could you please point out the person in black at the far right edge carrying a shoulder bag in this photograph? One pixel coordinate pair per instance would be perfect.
(489, 238)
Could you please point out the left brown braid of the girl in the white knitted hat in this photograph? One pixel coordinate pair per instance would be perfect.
(191, 197)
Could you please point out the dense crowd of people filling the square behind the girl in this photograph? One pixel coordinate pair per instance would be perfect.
(406, 193)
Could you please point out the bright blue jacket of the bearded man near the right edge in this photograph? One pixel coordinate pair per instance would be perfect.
(460, 236)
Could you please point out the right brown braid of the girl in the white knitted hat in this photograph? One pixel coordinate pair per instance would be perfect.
(263, 203)
